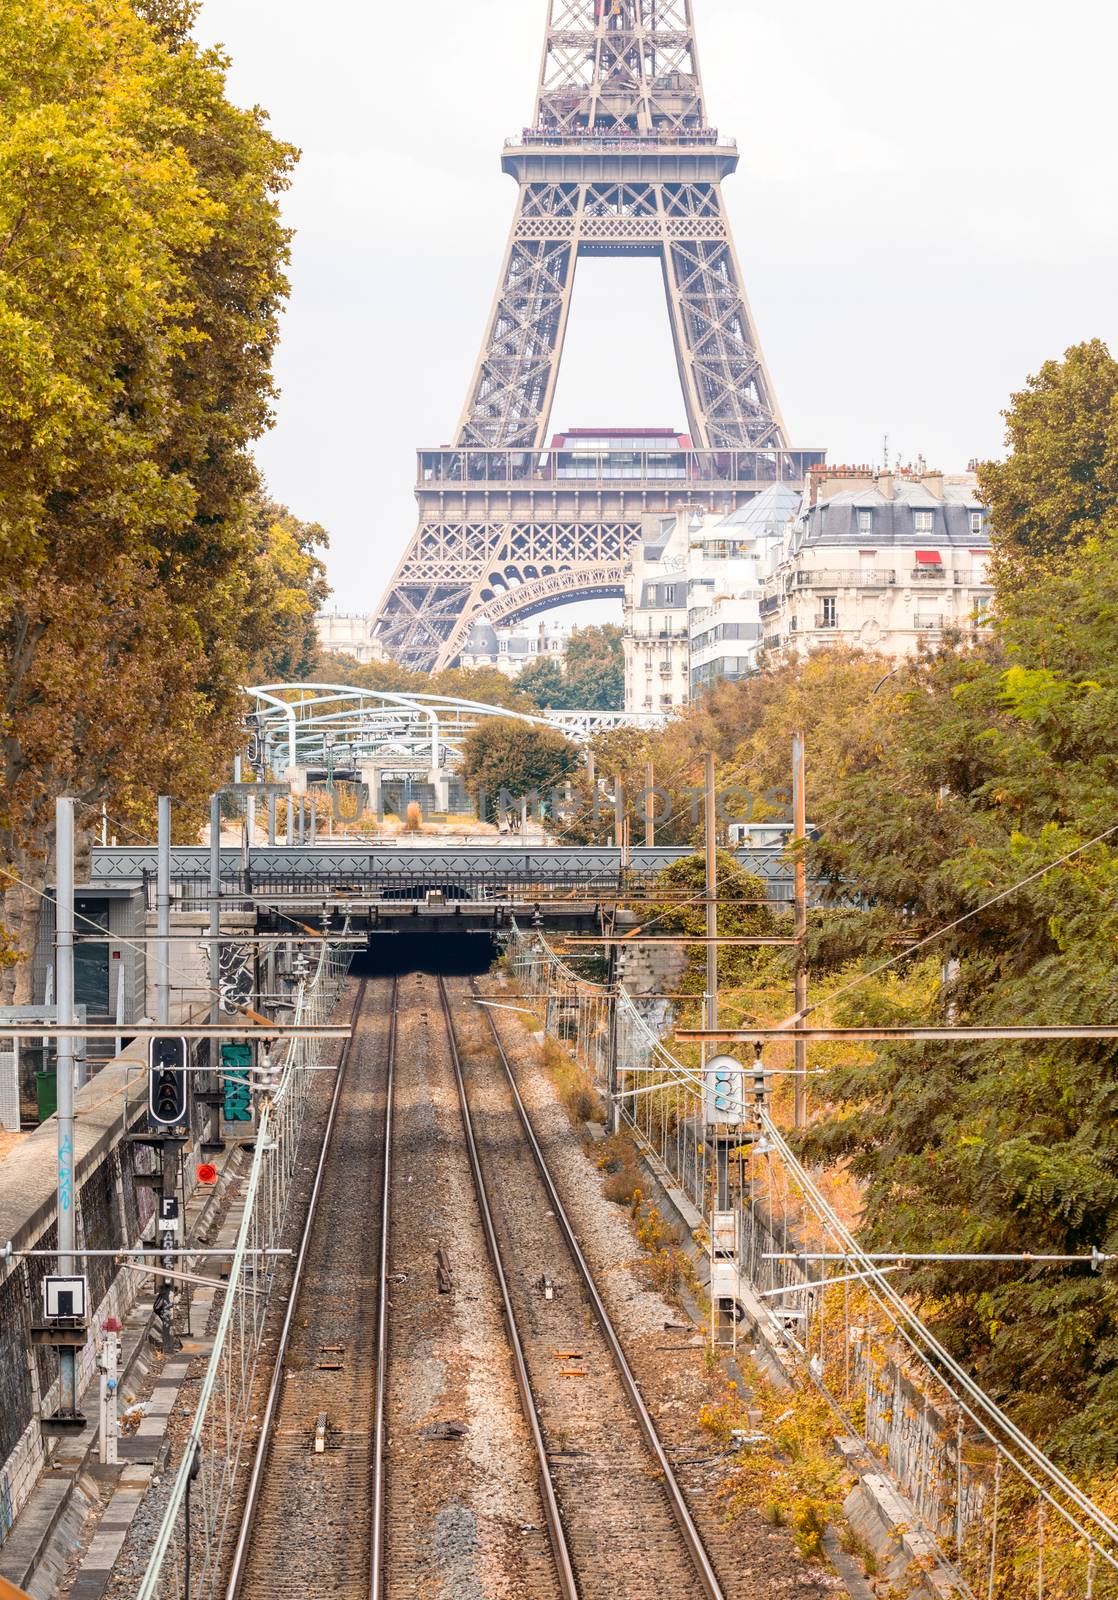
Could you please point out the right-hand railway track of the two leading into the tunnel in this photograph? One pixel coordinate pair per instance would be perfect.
(621, 1521)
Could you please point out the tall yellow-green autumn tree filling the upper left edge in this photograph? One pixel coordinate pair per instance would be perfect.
(142, 276)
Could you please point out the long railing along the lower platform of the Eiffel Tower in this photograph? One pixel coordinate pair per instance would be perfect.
(476, 468)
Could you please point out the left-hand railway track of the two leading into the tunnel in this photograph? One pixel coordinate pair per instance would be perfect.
(313, 1489)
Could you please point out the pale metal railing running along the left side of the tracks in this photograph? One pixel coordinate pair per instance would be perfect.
(209, 1478)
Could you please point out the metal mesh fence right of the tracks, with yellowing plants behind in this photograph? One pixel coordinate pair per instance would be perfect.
(992, 1514)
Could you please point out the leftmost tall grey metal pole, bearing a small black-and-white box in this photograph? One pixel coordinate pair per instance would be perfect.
(68, 1358)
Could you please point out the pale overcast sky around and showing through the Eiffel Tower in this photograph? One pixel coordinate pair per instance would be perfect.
(925, 212)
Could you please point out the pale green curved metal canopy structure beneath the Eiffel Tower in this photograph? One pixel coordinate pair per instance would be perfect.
(338, 726)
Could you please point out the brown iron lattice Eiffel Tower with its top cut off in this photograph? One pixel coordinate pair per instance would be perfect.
(620, 161)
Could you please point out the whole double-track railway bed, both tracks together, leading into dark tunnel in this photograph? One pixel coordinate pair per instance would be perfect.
(429, 1289)
